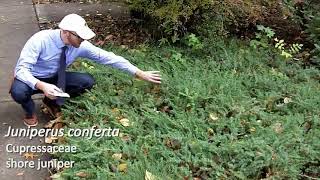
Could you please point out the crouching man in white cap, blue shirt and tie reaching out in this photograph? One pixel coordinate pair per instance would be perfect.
(44, 58)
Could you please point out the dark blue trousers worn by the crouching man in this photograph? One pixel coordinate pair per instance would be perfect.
(76, 84)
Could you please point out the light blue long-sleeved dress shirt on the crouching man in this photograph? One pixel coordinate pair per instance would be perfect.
(40, 57)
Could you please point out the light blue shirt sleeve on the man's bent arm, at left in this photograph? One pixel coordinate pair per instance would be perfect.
(28, 57)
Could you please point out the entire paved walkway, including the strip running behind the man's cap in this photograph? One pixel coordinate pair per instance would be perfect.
(18, 21)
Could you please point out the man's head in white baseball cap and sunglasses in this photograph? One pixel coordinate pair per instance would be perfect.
(75, 30)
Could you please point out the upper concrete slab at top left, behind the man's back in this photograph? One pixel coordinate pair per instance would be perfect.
(17, 23)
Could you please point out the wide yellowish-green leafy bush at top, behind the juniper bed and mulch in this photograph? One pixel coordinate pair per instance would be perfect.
(174, 18)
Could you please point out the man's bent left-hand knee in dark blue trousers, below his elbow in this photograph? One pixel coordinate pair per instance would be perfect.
(20, 91)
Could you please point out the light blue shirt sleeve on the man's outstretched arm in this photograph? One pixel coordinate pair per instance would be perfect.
(88, 50)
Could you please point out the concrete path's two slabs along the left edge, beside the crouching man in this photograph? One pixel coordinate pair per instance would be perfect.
(17, 23)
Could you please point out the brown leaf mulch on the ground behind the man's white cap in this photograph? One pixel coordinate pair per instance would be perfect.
(124, 31)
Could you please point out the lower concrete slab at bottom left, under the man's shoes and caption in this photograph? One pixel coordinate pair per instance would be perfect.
(13, 119)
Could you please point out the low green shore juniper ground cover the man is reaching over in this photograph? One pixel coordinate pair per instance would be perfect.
(224, 112)
